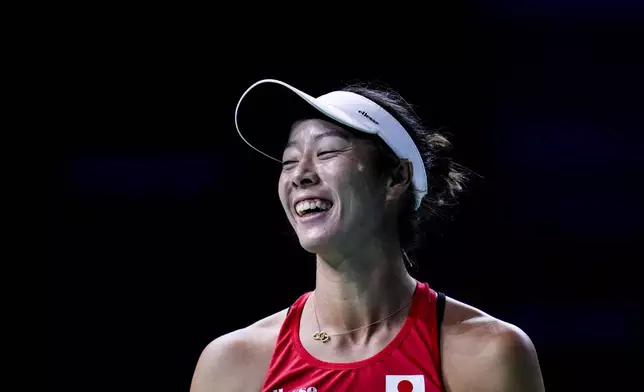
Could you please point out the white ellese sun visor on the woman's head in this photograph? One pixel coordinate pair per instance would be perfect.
(349, 109)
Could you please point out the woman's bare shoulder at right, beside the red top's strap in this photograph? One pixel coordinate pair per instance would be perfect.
(483, 353)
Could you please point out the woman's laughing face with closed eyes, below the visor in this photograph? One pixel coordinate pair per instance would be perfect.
(330, 190)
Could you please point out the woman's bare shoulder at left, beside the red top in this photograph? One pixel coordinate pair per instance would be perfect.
(239, 360)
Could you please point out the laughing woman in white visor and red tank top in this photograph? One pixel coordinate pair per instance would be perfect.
(358, 171)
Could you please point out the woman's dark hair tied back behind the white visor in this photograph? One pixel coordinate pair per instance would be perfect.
(446, 178)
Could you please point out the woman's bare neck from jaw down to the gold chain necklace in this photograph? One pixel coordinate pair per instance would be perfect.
(353, 291)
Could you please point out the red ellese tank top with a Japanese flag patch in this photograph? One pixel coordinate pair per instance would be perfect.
(410, 363)
